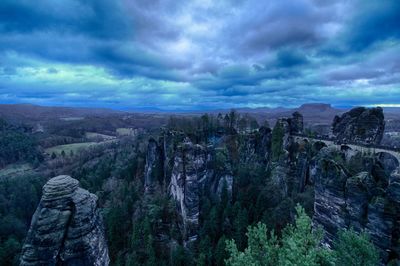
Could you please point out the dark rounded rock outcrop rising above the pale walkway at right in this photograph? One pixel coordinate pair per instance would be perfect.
(360, 125)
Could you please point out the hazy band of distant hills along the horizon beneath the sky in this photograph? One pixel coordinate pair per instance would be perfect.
(313, 113)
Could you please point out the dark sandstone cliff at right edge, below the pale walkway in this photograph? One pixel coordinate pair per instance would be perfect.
(367, 200)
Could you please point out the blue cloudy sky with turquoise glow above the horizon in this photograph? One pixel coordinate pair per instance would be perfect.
(200, 54)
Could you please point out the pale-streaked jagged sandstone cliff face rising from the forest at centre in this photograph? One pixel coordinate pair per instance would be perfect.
(198, 170)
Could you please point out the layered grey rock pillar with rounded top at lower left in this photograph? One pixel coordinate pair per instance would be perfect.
(66, 228)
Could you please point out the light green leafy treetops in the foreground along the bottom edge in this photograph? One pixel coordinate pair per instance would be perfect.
(300, 245)
